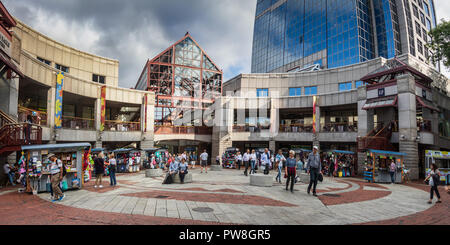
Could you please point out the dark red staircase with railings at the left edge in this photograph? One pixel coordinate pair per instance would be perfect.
(13, 134)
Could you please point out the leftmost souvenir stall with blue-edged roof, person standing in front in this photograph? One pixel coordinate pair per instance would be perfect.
(38, 165)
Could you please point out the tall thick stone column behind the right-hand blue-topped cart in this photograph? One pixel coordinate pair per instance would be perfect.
(407, 123)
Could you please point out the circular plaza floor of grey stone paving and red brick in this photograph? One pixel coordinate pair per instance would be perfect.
(230, 199)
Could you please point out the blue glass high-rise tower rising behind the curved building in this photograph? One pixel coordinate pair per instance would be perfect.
(292, 34)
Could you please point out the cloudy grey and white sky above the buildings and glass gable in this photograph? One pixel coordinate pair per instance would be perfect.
(136, 30)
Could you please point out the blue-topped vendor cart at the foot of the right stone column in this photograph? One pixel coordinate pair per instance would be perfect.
(377, 166)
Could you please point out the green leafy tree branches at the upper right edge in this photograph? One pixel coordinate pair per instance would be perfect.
(440, 44)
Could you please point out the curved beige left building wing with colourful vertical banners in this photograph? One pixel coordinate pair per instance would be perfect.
(71, 96)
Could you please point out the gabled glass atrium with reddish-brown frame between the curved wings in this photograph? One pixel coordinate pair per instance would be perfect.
(186, 82)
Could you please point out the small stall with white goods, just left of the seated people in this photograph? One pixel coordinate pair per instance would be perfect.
(128, 160)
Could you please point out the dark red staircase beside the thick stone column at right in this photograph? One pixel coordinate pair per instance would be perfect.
(378, 139)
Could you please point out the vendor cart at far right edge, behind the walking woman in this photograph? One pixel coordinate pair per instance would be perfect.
(442, 160)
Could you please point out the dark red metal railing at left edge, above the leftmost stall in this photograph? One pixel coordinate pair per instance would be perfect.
(20, 134)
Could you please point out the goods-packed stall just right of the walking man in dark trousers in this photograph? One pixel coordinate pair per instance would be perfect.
(344, 161)
